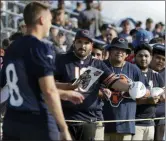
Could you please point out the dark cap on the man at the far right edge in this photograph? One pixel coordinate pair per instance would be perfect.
(159, 49)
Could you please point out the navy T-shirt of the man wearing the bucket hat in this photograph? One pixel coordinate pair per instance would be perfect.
(127, 107)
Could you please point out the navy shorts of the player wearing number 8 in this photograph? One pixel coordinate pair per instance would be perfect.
(26, 126)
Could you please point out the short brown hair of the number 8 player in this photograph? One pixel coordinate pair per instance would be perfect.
(32, 12)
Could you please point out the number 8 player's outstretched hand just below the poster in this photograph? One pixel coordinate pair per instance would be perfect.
(74, 97)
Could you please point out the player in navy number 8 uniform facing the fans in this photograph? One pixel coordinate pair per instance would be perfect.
(34, 107)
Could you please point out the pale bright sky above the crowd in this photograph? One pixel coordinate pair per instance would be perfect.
(138, 10)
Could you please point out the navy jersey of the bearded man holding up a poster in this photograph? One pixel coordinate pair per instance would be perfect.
(68, 68)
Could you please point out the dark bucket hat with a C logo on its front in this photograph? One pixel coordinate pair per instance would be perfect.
(119, 43)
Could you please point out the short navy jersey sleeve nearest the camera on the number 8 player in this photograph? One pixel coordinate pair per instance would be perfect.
(43, 58)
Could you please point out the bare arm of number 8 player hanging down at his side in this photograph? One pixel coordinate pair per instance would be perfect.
(52, 99)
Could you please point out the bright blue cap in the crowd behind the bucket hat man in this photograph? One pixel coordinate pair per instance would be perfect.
(142, 36)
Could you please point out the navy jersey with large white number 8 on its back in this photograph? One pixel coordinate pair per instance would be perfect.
(26, 60)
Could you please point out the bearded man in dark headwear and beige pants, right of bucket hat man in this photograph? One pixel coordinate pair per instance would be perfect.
(146, 107)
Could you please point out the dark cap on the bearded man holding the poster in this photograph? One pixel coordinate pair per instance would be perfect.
(83, 34)
